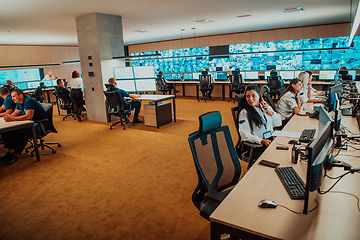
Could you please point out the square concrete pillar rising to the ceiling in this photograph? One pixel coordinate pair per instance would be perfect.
(100, 38)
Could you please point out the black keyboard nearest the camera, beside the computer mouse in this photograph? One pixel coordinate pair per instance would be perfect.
(292, 182)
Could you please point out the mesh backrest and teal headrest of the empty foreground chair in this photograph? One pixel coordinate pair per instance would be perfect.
(214, 154)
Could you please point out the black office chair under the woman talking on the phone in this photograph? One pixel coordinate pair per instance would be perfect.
(246, 150)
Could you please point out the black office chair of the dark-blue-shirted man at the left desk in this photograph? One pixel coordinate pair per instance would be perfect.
(48, 107)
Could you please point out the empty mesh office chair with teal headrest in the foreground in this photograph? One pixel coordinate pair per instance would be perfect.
(216, 162)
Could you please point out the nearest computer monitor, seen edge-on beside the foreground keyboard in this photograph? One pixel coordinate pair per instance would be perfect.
(319, 151)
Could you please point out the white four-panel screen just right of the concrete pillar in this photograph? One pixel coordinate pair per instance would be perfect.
(136, 79)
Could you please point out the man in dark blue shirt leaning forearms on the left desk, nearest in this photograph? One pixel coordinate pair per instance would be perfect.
(27, 108)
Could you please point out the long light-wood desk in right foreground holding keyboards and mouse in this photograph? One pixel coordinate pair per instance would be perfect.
(336, 217)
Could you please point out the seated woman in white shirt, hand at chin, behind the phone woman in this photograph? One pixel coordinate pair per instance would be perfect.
(289, 101)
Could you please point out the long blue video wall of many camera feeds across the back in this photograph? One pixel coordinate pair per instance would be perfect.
(303, 54)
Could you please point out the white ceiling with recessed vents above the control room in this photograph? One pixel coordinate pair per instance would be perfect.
(50, 22)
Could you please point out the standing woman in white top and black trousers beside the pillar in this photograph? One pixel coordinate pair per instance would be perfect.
(76, 94)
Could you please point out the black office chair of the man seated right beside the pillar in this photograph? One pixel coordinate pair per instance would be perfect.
(117, 106)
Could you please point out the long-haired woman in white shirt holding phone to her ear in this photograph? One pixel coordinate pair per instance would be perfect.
(257, 119)
